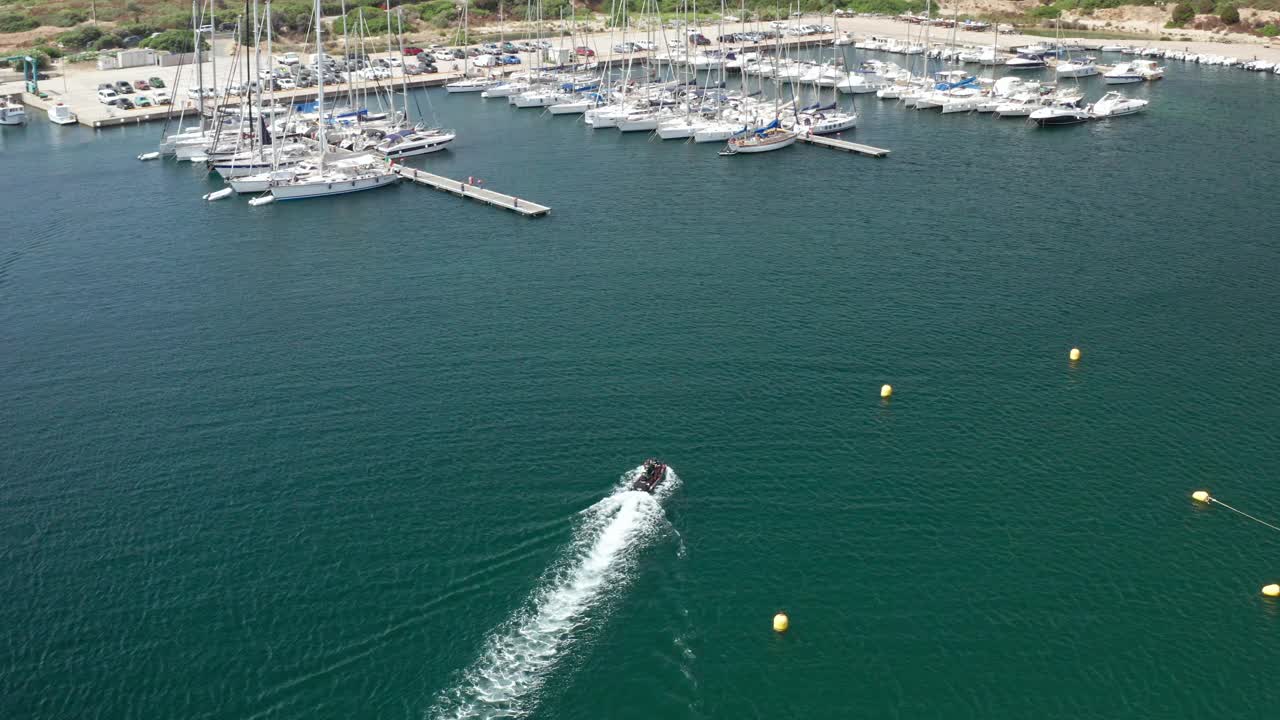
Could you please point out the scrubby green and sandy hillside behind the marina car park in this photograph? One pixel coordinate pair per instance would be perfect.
(75, 26)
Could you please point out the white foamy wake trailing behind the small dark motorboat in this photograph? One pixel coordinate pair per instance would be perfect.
(522, 653)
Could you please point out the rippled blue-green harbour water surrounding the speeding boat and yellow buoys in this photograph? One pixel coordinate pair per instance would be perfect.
(359, 459)
